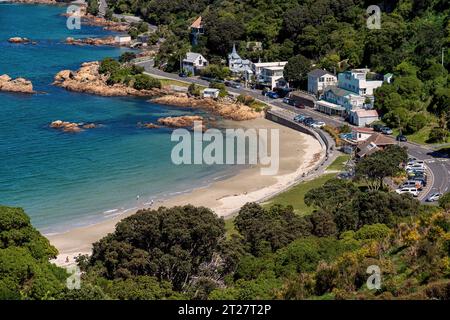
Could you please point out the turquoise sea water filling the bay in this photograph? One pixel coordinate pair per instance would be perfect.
(67, 180)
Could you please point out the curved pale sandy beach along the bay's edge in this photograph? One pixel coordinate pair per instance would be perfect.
(298, 154)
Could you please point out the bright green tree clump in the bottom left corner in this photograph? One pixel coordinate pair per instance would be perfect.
(25, 270)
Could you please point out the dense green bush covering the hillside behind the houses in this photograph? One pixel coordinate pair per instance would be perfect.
(330, 34)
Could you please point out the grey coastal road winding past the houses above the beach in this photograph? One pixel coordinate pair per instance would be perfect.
(439, 167)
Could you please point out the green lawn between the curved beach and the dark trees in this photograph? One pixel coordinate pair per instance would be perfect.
(296, 195)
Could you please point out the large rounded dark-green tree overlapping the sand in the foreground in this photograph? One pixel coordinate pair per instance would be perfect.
(169, 244)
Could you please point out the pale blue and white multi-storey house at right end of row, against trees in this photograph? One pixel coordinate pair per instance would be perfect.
(356, 81)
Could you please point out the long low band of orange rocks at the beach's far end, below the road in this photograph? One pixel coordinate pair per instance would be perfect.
(226, 109)
